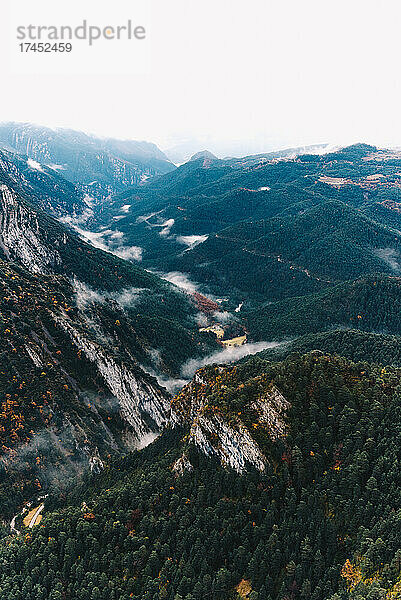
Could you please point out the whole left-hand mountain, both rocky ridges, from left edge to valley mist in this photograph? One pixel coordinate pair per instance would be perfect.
(81, 330)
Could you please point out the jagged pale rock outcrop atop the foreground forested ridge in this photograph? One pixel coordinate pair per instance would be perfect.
(221, 432)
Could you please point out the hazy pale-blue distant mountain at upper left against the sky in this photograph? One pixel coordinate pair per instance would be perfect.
(99, 167)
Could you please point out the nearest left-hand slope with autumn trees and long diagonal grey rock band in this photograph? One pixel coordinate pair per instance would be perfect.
(72, 388)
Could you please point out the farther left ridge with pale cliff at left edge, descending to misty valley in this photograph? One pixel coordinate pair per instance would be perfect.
(162, 314)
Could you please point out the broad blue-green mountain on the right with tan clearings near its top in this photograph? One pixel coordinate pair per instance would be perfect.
(339, 208)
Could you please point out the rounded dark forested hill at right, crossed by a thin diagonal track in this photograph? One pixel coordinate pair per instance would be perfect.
(292, 255)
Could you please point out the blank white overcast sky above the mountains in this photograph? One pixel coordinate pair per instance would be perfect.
(243, 74)
